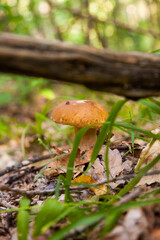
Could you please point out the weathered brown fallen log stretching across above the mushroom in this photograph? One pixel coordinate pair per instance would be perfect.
(132, 74)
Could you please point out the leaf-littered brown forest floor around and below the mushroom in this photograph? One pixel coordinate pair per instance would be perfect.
(22, 157)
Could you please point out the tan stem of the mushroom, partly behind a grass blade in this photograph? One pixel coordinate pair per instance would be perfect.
(88, 140)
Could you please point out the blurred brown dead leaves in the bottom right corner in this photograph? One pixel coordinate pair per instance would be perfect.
(136, 223)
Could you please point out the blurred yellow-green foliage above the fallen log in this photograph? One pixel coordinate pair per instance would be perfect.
(116, 24)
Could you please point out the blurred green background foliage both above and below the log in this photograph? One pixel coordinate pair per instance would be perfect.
(125, 25)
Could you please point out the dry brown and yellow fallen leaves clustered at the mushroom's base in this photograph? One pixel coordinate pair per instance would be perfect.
(97, 171)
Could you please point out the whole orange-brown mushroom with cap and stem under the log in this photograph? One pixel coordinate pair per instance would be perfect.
(81, 113)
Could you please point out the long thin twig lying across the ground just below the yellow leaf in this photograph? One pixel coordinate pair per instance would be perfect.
(52, 191)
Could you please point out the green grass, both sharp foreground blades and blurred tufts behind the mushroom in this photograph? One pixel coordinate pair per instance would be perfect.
(82, 214)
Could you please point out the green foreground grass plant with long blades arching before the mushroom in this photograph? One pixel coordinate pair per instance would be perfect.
(76, 217)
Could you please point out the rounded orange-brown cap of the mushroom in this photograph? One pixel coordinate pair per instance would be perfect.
(79, 113)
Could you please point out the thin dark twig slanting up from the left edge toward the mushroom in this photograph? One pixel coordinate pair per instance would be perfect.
(26, 163)
